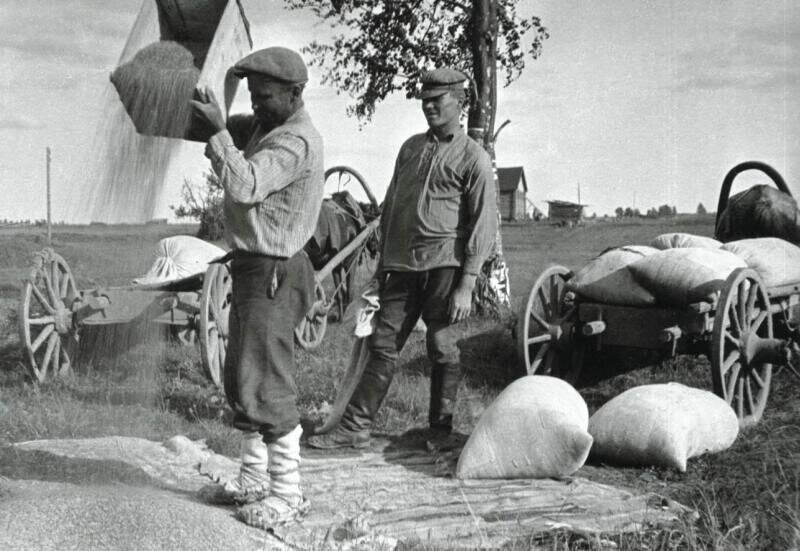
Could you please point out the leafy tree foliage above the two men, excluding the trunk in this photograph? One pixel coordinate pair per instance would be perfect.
(385, 45)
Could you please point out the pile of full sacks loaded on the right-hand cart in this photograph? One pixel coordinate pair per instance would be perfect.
(677, 269)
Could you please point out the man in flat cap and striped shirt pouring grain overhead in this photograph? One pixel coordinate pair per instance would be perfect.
(271, 169)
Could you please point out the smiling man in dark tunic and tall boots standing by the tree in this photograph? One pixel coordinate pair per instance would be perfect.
(437, 228)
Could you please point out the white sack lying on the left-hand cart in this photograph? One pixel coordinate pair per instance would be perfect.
(178, 257)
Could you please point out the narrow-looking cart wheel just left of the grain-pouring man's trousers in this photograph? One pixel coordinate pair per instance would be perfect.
(215, 306)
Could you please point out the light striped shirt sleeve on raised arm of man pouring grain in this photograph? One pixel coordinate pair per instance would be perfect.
(249, 181)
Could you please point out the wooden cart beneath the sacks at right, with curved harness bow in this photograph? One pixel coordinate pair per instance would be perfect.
(746, 330)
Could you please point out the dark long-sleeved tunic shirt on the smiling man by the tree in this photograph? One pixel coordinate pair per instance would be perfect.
(440, 208)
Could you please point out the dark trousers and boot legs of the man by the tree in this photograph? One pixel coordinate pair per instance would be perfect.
(404, 297)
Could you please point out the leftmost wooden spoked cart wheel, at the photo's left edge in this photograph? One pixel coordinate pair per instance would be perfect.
(46, 328)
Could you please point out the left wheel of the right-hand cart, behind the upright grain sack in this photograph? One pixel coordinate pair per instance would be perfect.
(546, 340)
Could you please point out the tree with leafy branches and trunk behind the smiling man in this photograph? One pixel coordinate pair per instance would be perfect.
(381, 47)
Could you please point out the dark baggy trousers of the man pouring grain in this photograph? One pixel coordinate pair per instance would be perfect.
(270, 297)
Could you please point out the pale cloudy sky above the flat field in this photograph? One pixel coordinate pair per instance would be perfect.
(632, 103)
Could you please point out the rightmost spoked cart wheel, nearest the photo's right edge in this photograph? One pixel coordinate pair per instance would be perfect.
(742, 318)
